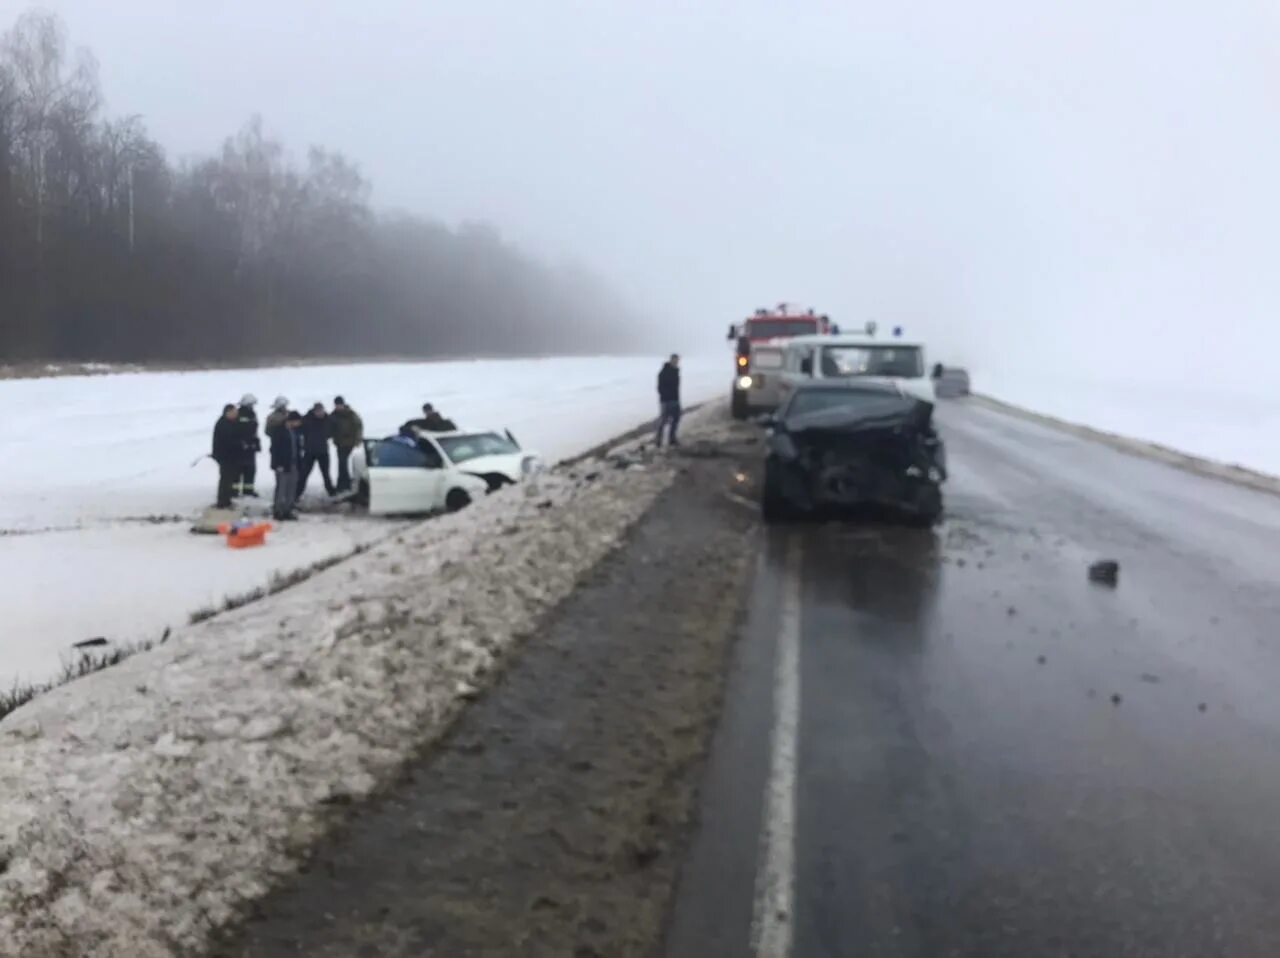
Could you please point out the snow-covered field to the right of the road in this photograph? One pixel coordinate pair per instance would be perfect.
(1236, 428)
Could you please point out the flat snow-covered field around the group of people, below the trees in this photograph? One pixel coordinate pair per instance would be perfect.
(90, 460)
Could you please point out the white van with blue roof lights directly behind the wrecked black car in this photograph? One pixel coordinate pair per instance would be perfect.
(848, 359)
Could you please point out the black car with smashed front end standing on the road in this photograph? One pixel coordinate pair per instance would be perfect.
(851, 446)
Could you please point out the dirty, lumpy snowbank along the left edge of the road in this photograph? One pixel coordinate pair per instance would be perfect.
(141, 805)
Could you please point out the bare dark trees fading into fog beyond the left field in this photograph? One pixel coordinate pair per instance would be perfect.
(111, 252)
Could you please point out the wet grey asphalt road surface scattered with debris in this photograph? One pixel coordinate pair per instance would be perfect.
(994, 756)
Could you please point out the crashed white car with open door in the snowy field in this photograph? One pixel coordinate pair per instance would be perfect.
(437, 472)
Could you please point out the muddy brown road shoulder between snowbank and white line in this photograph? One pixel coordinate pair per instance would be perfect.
(554, 818)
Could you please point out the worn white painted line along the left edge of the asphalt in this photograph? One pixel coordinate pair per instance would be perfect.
(775, 878)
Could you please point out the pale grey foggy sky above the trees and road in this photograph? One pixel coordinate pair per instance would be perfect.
(1092, 185)
